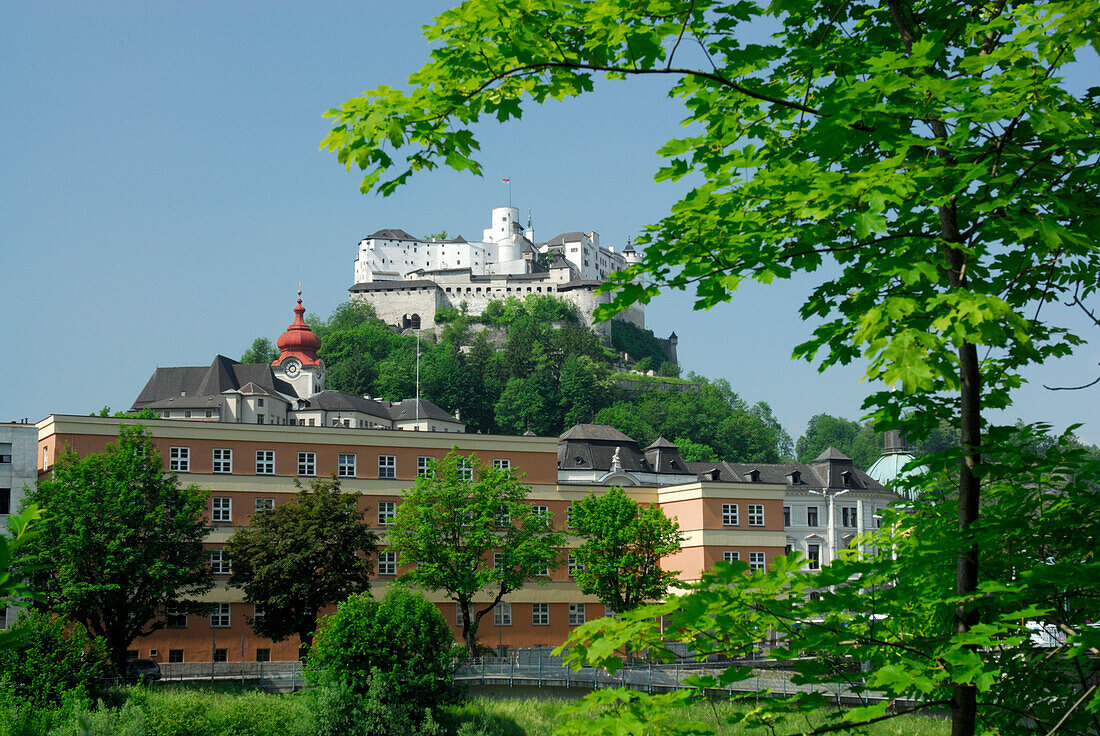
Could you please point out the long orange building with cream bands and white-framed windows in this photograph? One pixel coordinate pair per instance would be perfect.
(250, 467)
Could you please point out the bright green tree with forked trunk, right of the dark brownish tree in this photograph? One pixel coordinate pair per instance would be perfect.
(453, 523)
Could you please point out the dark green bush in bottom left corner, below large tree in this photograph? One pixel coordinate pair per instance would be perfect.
(52, 662)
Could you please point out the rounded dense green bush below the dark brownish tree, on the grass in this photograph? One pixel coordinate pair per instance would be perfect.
(401, 647)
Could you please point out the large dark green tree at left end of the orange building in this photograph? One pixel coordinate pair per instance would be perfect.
(119, 543)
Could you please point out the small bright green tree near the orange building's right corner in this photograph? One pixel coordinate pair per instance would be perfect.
(624, 544)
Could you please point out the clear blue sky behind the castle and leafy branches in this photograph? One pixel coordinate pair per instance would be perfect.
(163, 195)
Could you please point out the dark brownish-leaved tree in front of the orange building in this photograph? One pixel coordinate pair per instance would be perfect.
(300, 557)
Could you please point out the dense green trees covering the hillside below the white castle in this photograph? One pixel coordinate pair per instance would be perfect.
(532, 366)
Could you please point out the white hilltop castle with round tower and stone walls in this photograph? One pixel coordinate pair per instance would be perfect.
(408, 280)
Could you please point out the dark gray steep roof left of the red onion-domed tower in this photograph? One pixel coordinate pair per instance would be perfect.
(202, 387)
